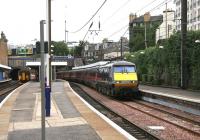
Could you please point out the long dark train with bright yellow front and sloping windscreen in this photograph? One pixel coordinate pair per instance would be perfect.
(115, 78)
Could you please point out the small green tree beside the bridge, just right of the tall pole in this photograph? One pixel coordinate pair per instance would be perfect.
(60, 48)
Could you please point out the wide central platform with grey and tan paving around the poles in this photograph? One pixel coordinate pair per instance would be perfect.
(71, 118)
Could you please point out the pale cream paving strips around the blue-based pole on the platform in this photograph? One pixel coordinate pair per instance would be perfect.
(55, 120)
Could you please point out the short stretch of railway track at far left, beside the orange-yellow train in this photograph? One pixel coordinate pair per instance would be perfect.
(7, 87)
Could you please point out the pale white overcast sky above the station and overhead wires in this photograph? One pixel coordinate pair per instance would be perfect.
(20, 18)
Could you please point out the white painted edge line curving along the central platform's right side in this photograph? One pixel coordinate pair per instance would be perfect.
(114, 125)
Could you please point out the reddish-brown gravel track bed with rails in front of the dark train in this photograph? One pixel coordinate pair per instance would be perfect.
(175, 124)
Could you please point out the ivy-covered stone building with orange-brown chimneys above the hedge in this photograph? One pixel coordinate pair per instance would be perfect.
(142, 30)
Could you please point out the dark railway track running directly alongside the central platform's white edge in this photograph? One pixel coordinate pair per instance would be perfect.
(131, 128)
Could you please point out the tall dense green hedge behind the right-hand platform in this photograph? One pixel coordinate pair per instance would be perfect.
(162, 66)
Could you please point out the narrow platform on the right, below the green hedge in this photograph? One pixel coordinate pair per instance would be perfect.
(185, 100)
